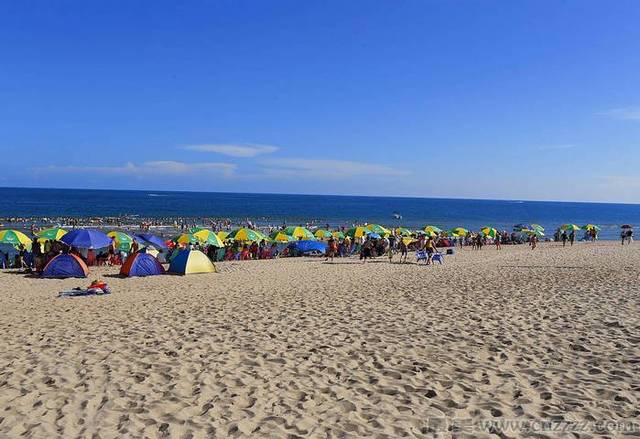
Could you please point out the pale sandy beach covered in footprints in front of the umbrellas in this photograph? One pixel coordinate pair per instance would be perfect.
(302, 348)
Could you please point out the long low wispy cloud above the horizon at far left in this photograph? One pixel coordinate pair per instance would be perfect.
(153, 168)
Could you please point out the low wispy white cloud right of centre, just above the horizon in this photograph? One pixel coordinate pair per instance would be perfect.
(338, 169)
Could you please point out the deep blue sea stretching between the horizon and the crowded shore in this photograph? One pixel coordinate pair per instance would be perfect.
(335, 210)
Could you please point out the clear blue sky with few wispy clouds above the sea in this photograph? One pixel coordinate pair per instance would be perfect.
(476, 99)
